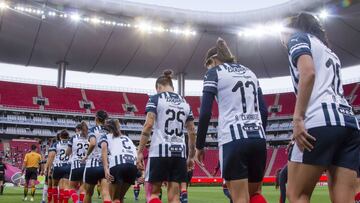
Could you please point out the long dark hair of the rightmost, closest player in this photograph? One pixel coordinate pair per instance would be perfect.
(308, 23)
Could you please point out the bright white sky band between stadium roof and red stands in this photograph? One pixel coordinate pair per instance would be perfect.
(46, 76)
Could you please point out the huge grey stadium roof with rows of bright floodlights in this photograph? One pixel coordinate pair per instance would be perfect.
(137, 39)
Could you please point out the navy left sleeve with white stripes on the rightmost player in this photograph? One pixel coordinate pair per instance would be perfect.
(299, 44)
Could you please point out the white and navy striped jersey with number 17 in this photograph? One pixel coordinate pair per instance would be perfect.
(236, 89)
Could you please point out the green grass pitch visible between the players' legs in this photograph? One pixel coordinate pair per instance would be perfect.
(197, 194)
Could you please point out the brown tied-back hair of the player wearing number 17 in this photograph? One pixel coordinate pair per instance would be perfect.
(221, 52)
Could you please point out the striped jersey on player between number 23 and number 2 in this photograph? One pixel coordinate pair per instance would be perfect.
(94, 159)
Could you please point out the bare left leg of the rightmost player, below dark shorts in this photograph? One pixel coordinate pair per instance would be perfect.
(301, 186)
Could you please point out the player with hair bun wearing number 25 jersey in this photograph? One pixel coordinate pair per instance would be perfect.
(168, 113)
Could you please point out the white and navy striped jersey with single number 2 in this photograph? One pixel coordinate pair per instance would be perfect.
(121, 150)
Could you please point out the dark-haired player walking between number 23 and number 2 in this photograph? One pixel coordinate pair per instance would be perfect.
(94, 170)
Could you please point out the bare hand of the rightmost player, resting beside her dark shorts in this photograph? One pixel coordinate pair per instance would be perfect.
(301, 136)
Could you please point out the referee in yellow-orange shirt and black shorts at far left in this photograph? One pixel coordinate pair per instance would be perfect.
(31, 166)
